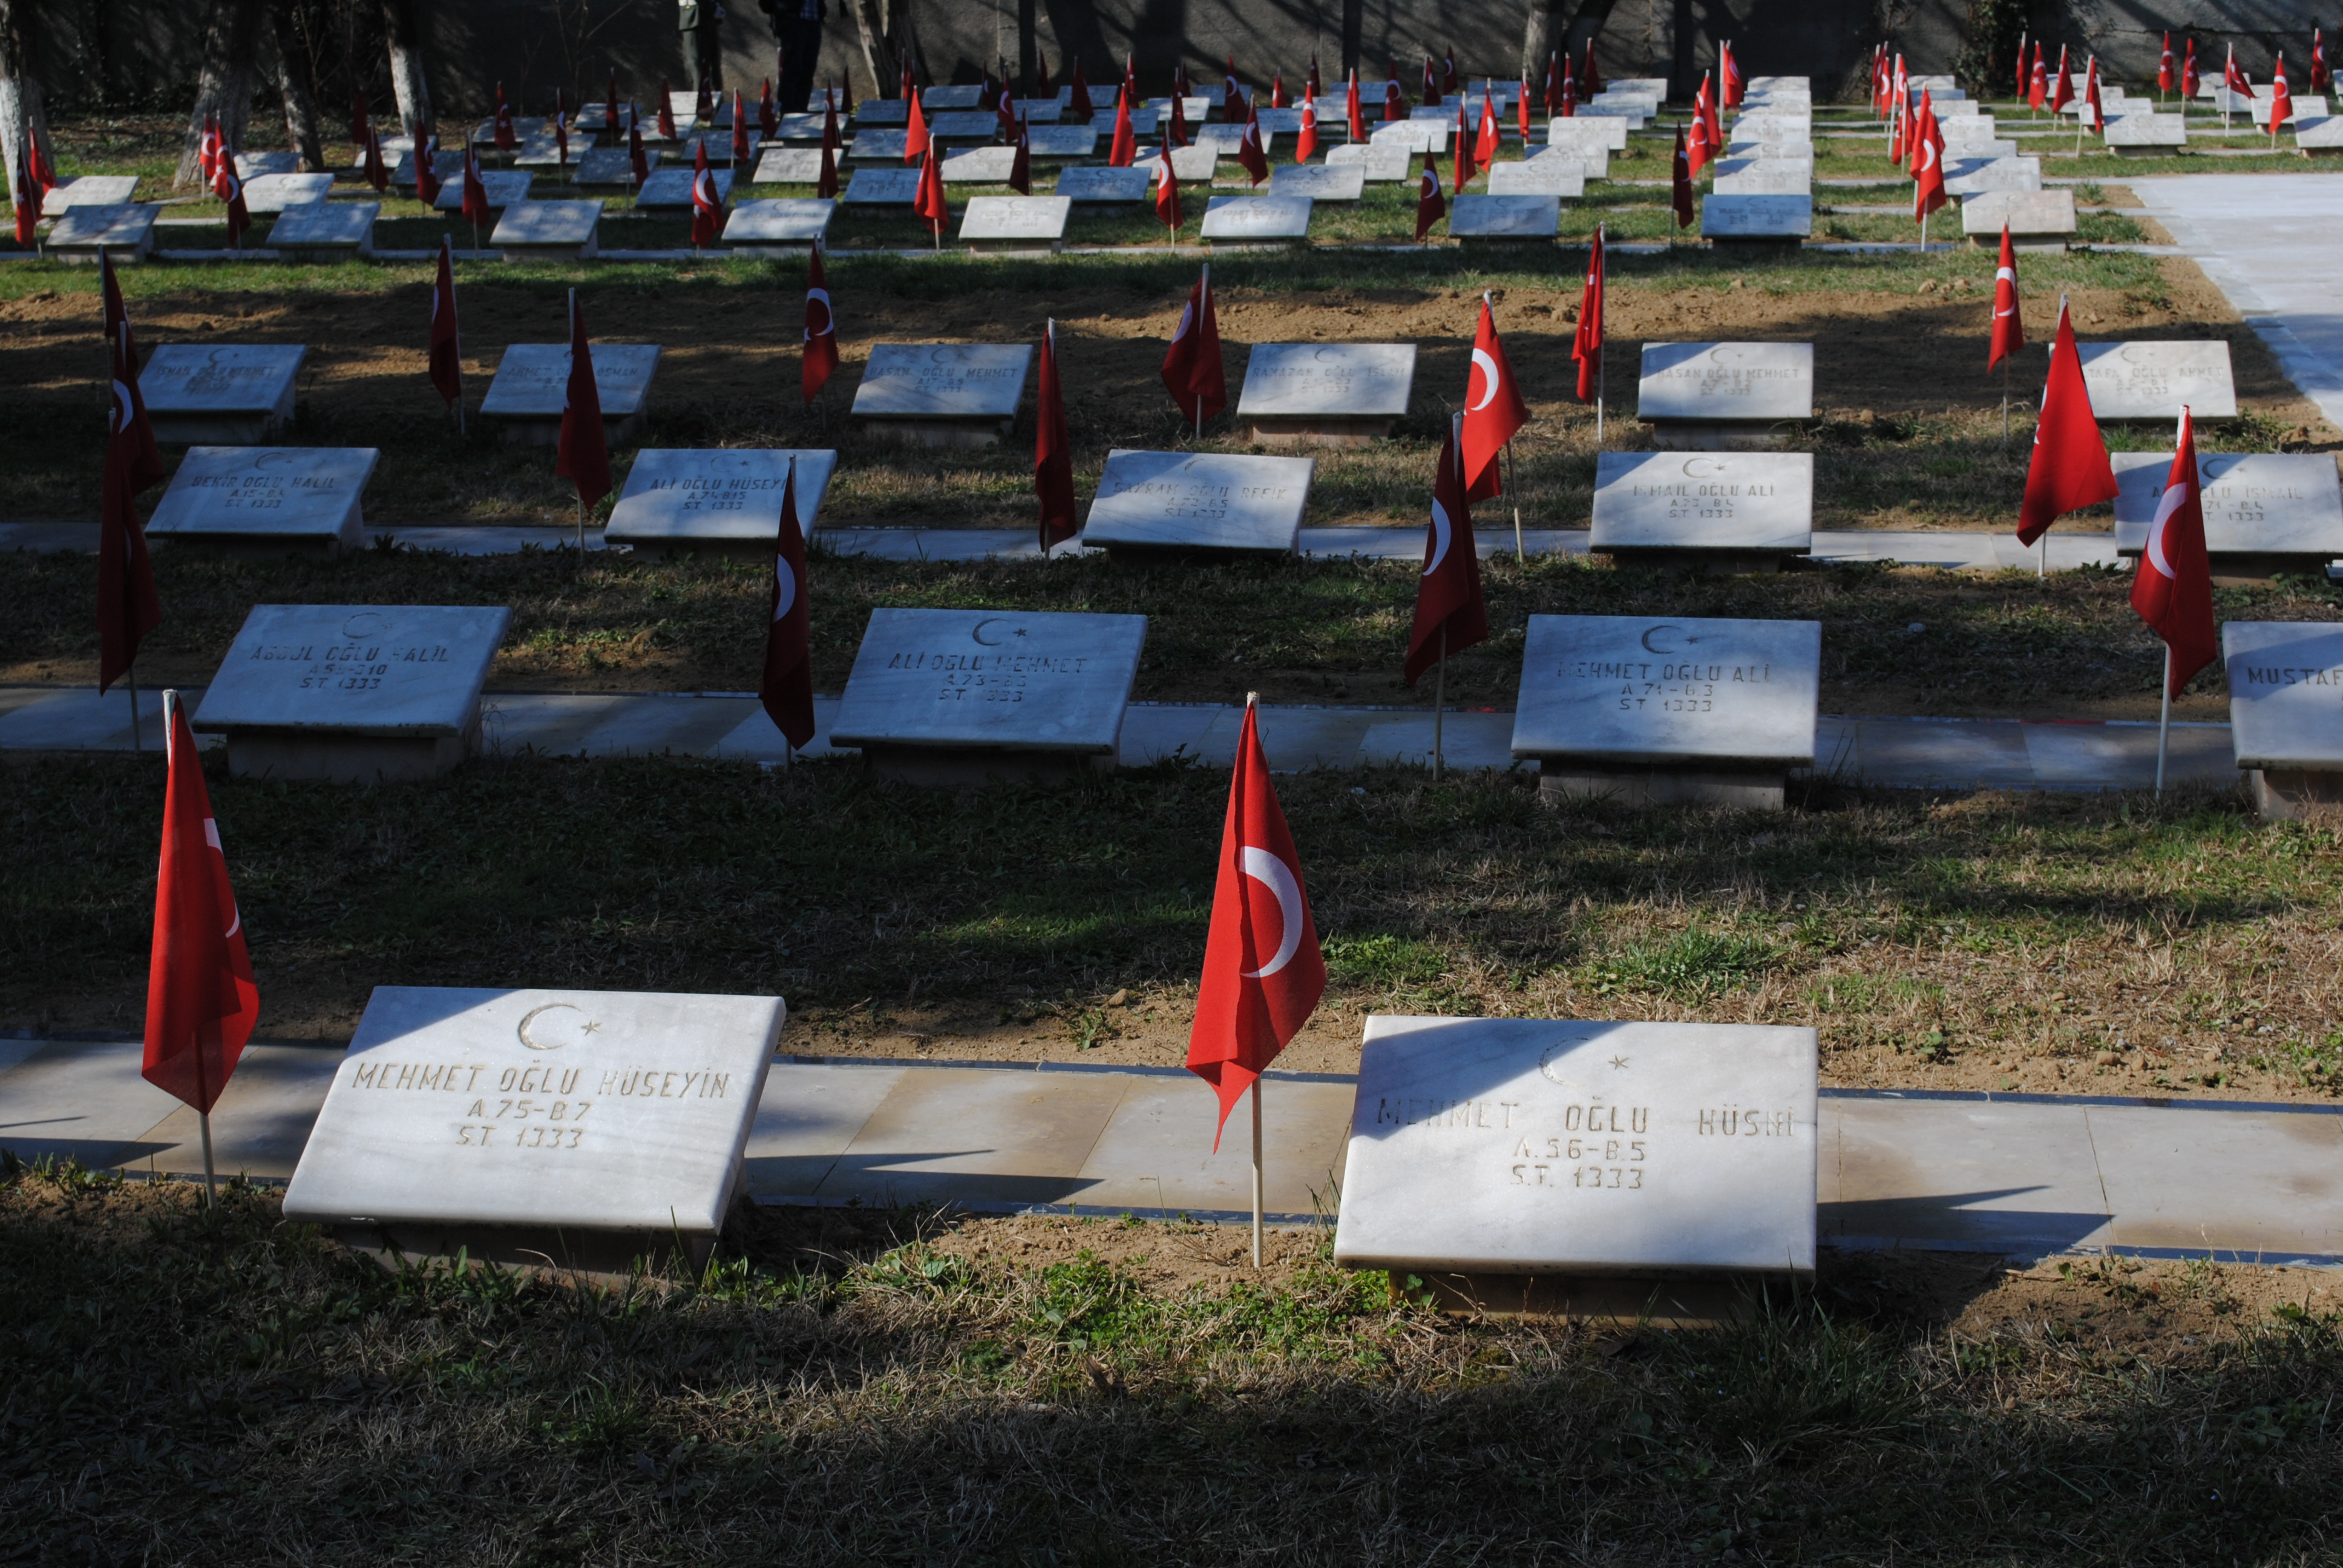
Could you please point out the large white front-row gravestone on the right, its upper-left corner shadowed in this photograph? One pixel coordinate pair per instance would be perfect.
(1548, 1147)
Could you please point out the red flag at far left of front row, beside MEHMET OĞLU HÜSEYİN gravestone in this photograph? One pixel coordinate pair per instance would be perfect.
(203, 1002)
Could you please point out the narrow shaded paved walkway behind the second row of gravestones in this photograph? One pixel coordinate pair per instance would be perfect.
(1869, 751)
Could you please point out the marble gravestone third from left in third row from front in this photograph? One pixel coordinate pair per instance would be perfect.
(1194, 503)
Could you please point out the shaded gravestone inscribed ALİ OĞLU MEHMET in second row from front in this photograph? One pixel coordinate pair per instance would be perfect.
(959, 695)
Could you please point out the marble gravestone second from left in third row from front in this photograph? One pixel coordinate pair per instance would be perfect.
(723, 500)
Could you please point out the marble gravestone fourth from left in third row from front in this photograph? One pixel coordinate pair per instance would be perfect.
(1730, 512)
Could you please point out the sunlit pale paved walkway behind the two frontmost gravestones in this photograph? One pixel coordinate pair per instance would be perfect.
(2018, 1175)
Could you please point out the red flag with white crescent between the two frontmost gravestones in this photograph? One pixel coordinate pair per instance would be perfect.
(1264, 972)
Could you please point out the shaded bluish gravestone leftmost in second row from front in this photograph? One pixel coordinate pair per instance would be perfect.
(355, 669)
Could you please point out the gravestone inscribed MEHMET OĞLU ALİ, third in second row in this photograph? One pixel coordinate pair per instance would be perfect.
(1665, 711)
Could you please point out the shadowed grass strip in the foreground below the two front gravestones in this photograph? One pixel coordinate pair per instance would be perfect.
(849, 1389)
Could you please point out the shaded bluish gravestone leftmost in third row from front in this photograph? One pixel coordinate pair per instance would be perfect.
(268, 493)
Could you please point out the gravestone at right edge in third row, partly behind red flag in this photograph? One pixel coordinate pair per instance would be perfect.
(2265, 512)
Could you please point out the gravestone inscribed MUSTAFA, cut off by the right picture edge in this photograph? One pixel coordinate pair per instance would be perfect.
(2286, 714)
